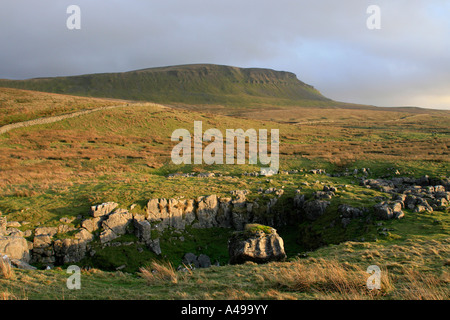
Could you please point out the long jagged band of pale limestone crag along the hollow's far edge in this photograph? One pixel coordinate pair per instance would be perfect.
(50, 246)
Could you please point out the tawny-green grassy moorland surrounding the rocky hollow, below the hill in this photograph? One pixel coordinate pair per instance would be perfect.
(57, 170)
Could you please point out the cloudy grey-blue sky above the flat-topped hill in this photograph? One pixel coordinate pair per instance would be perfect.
(326, 43)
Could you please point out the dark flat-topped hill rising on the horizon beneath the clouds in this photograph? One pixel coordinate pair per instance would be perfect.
(191, 84)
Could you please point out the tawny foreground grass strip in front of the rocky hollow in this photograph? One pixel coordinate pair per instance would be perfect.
(331, 273)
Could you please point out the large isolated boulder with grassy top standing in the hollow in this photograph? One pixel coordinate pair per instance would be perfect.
(257, 246)
